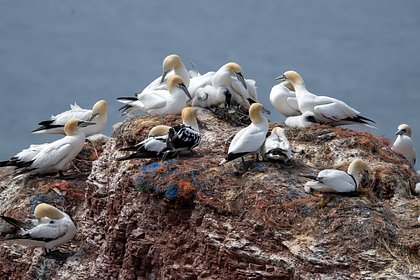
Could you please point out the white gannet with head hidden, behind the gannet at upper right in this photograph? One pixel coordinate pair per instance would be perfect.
(283, 98)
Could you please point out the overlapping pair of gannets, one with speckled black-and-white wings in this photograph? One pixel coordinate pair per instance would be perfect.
(167, 142)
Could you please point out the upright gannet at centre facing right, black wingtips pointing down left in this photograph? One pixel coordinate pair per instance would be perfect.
(250, 138)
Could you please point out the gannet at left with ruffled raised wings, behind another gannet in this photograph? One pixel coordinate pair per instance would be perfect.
(98, 115)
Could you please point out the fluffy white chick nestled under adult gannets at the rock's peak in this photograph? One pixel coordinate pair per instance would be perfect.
(210, 96)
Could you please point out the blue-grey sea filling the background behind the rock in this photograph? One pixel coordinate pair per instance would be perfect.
(53, 53)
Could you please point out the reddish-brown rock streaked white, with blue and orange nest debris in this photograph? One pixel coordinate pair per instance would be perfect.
(189, 218)
